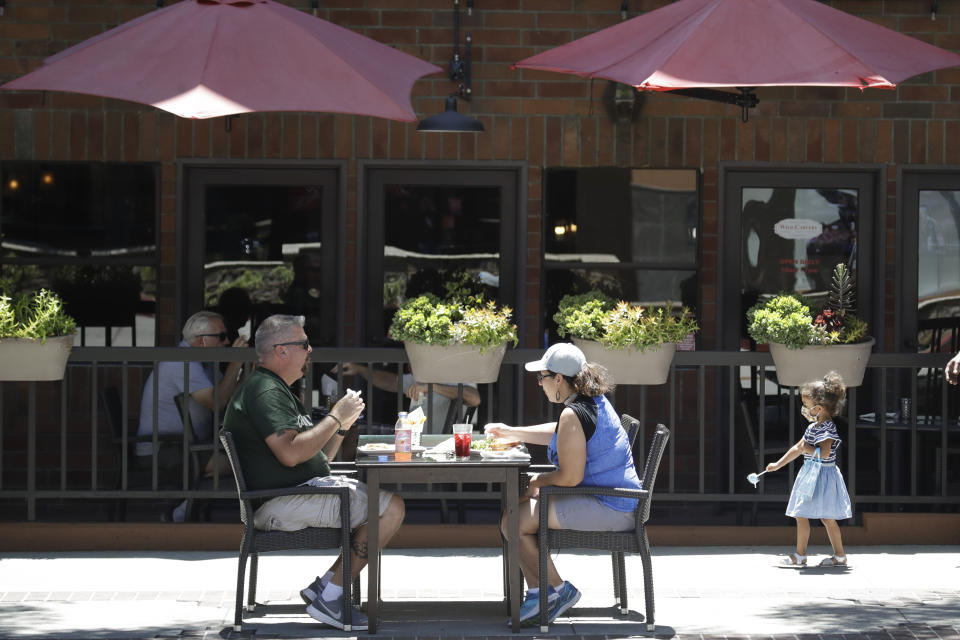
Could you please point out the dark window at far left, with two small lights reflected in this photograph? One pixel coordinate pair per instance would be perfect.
(89, 232)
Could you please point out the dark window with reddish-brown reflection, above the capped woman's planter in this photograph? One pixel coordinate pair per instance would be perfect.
(633, 233)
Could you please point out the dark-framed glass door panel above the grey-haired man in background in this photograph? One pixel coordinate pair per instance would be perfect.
(263, 241)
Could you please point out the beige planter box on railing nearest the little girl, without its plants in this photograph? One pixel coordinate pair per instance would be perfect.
(798, 366)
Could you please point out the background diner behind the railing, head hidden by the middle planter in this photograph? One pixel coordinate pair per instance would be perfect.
(444, 395)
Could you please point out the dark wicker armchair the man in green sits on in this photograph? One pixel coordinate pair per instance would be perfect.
(255, 542)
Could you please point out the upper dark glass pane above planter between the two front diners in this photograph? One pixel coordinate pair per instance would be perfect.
(427, 224)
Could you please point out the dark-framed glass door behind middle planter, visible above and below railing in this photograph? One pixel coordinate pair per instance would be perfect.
(427, 226)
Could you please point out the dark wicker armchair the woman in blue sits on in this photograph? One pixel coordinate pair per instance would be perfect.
(617, 542)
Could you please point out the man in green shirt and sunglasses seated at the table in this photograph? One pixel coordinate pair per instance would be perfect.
(279, 445)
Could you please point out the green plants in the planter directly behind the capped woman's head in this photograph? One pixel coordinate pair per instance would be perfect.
(621, 325)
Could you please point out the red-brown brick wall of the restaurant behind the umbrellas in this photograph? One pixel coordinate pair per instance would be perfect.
(541, 118)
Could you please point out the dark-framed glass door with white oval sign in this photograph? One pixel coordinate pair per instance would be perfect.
(785, 229)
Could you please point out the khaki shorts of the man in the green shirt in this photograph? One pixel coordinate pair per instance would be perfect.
(292, 513)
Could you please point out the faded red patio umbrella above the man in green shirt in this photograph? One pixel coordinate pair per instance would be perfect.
(207, 58)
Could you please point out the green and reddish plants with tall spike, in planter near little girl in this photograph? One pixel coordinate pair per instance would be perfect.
(789, 319)
